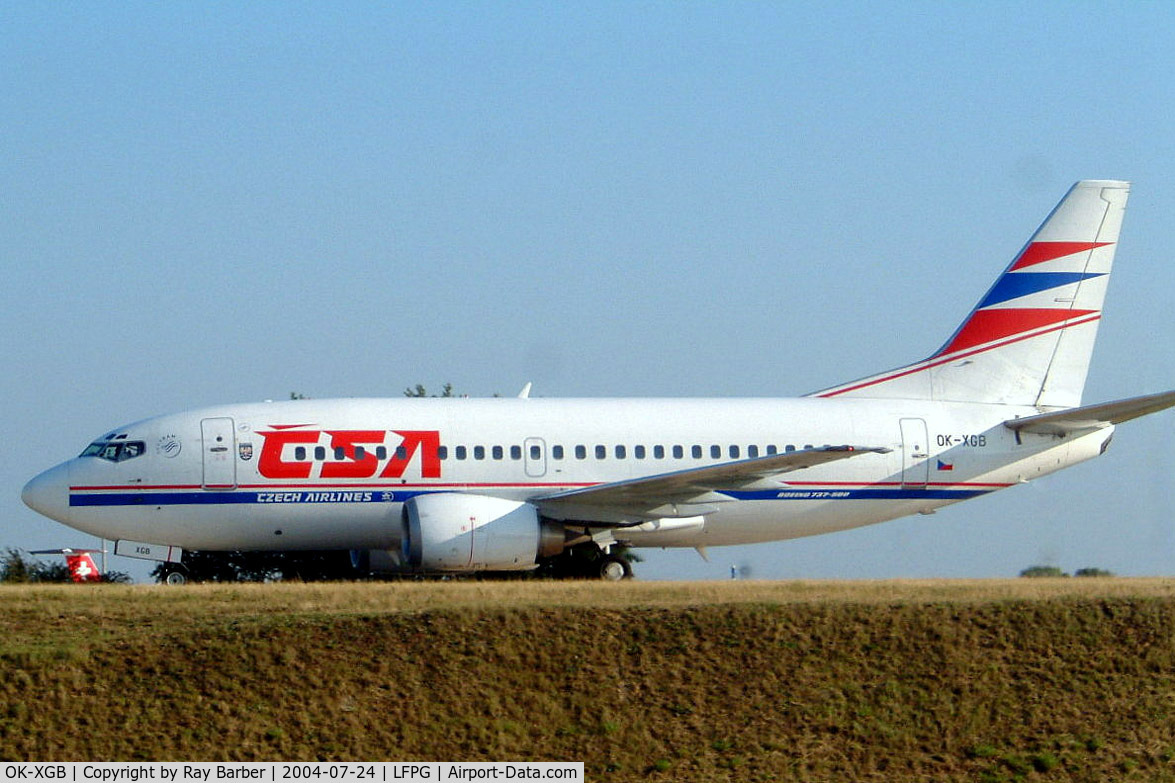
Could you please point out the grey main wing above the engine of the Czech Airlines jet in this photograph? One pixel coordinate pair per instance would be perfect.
(640, 497)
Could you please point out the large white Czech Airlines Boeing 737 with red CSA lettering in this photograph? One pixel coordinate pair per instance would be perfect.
(451, 486)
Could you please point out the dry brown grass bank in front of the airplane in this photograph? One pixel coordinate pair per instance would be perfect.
(742, 681)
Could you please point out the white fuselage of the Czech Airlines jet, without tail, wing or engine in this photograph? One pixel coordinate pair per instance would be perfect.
(328, 476)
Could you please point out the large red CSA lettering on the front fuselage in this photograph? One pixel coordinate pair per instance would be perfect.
(358, 453)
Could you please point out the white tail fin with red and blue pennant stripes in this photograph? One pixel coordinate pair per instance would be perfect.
(1030, 339)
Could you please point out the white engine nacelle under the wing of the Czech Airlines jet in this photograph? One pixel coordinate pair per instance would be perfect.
(475, 533)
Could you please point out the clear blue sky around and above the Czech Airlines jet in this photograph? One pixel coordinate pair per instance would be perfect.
(217, 203)
